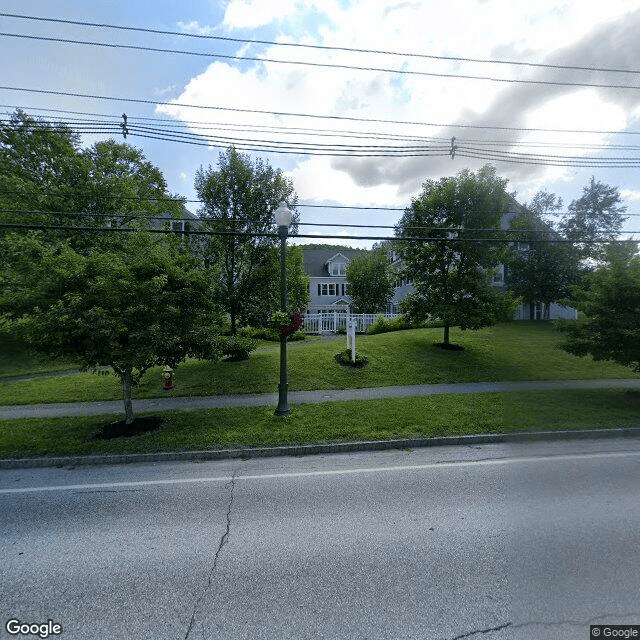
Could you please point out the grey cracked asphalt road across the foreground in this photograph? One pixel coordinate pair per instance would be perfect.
(500, 541)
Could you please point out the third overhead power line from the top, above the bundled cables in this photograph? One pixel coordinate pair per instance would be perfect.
(310, 115)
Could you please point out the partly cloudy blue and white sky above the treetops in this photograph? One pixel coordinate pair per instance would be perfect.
(445, 70)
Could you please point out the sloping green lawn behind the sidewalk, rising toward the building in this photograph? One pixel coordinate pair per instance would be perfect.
(512, 351)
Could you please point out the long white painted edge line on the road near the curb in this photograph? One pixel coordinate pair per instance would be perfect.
(331, 472)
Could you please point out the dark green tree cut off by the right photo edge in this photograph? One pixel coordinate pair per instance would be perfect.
(610, 301)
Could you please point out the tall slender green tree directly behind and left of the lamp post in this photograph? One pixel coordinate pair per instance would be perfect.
(240, 198)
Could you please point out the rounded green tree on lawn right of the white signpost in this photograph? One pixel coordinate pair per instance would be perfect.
(452, 271)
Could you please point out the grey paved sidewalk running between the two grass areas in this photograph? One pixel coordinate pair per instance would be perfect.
(303, 397)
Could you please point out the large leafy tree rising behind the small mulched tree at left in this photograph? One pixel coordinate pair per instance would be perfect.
(46, 178)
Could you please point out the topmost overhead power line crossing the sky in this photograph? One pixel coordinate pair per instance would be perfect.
(405, 54)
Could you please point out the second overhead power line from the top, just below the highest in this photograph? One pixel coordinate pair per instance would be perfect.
(324, 65)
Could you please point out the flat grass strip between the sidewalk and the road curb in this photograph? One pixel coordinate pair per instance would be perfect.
(332, 422)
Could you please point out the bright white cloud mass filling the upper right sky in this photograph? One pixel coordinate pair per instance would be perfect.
(507, 29)
